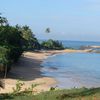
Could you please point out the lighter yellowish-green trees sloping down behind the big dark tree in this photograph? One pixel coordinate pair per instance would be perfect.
(30, 41)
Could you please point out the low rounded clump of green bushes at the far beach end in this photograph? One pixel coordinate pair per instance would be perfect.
(52, 45)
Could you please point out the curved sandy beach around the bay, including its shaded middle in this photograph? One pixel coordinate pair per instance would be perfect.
(28, 70)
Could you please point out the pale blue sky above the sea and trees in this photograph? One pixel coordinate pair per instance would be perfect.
(67, 19)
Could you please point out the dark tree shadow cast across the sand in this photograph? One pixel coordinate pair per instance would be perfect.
(26, 69)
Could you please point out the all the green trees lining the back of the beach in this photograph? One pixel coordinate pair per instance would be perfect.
(16, 39)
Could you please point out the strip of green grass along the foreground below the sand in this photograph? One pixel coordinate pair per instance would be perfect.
(72, 94)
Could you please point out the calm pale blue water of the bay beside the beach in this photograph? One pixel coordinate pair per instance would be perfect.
(73, 69)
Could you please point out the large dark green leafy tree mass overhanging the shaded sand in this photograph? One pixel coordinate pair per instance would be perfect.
(10, 46)
